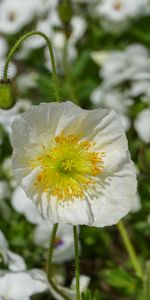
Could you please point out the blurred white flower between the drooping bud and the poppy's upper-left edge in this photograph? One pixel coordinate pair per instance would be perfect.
(7, 116)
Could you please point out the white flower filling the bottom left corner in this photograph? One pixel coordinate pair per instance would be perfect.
(22, 285)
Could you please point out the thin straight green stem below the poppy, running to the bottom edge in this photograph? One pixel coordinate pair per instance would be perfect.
(75, 232)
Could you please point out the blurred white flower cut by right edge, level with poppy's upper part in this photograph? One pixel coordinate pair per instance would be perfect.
(142, 125)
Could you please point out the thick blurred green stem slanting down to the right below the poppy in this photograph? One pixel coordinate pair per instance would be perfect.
(130, 249)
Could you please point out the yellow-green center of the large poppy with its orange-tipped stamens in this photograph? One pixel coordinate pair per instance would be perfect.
(68, 167)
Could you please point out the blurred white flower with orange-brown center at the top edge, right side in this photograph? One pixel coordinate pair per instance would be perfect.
(117, 14)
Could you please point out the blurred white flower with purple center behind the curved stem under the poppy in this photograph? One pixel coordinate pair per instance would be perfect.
(64, 243)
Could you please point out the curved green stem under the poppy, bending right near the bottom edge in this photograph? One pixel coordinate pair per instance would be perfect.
(49, 267)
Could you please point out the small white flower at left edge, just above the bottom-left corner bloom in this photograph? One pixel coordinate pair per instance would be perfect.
(14, 261)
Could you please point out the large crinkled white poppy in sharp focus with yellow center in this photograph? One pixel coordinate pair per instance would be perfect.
(74, 164)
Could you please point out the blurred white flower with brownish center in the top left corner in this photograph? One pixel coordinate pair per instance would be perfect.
(14, 15)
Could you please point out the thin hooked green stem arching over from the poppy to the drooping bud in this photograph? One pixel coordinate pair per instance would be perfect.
(15, 47)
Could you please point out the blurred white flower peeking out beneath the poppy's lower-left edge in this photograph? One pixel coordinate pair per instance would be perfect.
(22, 204)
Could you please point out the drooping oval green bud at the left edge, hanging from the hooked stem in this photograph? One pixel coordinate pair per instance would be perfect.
(7, 94)
